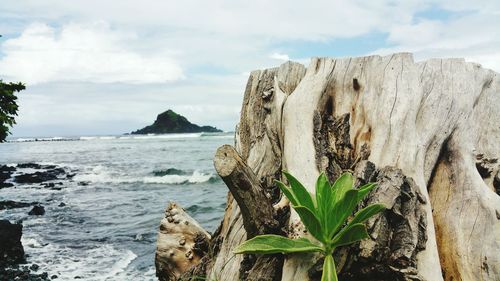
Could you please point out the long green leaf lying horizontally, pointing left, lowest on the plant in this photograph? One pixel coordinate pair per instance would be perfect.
(273, 244)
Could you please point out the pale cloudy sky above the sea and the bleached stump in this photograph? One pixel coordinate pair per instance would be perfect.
(109, 67)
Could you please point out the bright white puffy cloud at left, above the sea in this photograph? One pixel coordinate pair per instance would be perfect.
(92, 52)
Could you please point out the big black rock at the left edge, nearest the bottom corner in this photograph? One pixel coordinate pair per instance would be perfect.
(11, 249)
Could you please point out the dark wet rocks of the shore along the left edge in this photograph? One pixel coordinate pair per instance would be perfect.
(13, 260)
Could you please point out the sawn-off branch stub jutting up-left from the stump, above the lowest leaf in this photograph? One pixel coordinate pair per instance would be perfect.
(256, 207)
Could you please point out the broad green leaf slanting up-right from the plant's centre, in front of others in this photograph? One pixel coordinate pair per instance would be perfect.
(341, 211)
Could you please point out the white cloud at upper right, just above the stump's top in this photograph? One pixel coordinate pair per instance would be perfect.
(474, 36)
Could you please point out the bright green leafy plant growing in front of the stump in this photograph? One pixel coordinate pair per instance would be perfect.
(325, 216)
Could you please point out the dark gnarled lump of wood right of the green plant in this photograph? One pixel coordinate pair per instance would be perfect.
(396, 236)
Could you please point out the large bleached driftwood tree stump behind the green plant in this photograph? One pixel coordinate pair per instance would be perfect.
(428, 133)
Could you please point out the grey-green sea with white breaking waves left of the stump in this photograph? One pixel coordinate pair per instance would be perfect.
(107, 226)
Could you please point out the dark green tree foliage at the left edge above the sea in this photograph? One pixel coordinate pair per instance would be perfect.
(8, 106)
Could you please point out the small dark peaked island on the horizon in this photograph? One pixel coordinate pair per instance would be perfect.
(171, 122)
